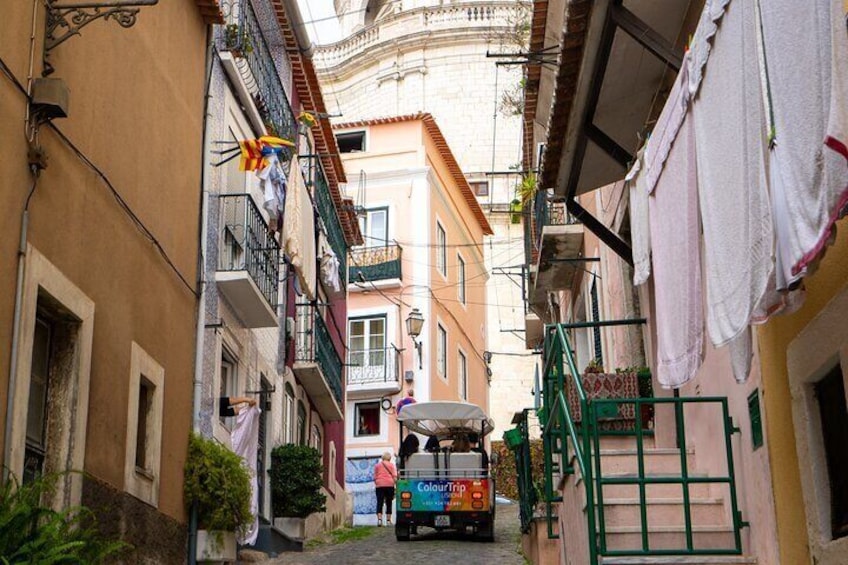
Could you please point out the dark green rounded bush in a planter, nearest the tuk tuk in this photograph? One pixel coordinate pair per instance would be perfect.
(296, 479)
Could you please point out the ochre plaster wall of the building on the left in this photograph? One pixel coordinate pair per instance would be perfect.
(136, 111)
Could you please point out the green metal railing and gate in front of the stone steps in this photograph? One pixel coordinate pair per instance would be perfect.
(561, 430)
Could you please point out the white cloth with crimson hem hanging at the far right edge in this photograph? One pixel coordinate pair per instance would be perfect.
(808, 181)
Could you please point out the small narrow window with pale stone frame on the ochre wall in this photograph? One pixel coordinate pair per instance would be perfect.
(144, 426)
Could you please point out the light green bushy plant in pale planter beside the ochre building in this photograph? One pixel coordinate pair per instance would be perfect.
(217, 484)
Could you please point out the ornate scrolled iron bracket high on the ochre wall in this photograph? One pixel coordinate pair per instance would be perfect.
(66, 20)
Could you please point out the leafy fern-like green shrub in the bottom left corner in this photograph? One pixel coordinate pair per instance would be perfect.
(32, 532)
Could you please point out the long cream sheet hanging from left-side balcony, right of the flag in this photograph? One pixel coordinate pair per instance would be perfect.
(299, 230)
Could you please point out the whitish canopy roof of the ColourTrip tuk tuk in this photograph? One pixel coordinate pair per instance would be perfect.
(443, 417)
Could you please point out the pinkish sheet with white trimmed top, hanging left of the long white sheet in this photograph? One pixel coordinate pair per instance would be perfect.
(676, 245)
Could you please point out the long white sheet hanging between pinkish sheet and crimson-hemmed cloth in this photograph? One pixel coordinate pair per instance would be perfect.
(731, 139)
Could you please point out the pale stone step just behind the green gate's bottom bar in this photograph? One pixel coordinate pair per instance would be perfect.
(669, 537)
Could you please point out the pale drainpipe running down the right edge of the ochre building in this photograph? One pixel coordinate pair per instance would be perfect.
(201, 279)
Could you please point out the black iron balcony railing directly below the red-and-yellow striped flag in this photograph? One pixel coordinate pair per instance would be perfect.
(246, 244)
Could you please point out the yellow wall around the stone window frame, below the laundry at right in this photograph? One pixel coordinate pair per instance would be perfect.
(774, 339)
